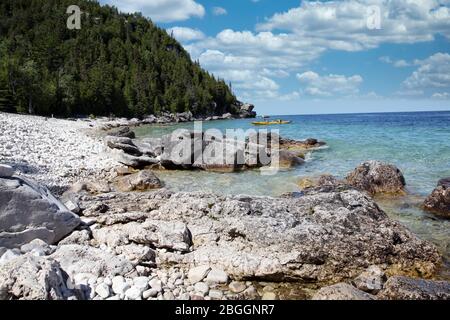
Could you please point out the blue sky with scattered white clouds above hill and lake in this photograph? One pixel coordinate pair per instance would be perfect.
(308, 57)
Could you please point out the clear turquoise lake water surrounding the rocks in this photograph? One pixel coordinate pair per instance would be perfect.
(418, 143)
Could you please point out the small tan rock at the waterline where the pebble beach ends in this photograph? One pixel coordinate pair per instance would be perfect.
(141, 181)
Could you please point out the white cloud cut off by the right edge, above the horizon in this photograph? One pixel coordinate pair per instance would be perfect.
(433, 74)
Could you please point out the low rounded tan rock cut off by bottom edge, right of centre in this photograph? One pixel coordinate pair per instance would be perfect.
(341, 291)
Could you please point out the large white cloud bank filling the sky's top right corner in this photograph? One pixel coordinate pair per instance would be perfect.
(343, 24)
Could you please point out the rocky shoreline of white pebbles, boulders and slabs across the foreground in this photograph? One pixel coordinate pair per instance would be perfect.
(117, 234)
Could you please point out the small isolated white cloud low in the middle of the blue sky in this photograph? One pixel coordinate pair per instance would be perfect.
(329, 85)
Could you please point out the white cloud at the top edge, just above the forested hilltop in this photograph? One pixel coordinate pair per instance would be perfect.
(161, 10)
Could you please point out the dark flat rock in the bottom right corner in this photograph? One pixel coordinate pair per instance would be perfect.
(404, 288)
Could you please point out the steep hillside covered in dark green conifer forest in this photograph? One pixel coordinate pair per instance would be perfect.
(117, 64)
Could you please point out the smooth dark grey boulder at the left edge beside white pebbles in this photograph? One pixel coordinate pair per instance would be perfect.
(29, 211)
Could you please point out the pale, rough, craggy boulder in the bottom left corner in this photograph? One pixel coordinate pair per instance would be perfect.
(33, 278)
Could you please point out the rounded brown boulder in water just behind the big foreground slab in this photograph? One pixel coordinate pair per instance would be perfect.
(377, 177)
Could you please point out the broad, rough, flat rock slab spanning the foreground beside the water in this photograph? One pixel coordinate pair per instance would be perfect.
(322, 237)
